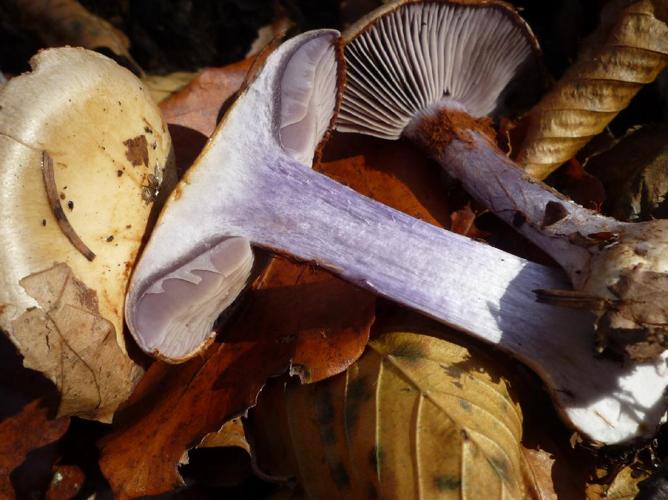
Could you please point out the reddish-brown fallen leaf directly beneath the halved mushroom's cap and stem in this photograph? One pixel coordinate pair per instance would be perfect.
(293, 314)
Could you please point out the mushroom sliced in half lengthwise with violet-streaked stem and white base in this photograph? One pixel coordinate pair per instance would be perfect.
(251, 184)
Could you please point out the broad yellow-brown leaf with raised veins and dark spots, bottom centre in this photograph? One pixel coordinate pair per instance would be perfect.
(415, 417)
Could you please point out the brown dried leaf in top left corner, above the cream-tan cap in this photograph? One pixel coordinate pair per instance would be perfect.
(67, 22)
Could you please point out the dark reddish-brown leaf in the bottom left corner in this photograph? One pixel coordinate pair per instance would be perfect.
(28, 432)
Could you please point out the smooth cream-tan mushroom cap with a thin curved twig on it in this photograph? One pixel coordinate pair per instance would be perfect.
(109, 146)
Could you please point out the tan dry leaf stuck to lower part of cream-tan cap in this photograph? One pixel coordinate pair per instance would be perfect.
(66, 339)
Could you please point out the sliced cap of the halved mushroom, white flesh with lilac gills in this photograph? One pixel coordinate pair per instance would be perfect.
(196, 261)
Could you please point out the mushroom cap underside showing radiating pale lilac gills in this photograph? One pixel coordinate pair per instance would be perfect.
(409, 57)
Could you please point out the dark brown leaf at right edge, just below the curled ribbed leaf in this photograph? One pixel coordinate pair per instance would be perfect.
(635, 174)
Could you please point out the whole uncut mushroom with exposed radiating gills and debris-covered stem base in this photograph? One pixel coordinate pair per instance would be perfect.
(433, 71)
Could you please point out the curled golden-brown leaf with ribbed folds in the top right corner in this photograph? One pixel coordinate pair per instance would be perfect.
(628, 50)
